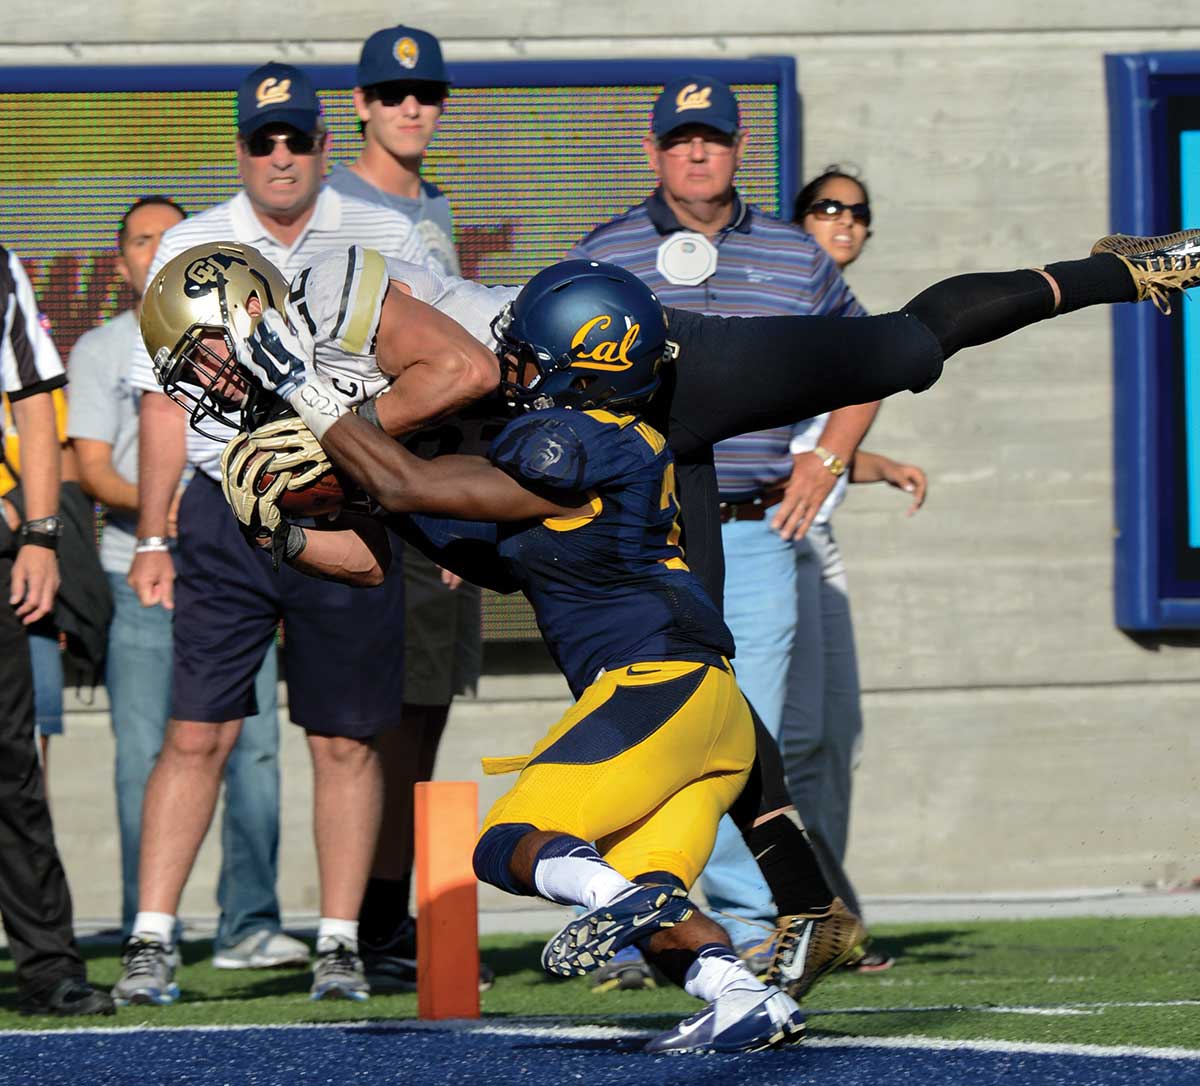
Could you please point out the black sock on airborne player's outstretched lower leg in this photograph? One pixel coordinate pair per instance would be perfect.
(969, 310)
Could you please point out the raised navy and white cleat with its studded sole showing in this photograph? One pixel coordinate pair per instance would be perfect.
(590, 941)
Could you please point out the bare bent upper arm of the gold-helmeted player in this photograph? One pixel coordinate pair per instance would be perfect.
(439, 365)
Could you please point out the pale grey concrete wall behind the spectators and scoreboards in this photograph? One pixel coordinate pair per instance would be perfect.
(1017, 740)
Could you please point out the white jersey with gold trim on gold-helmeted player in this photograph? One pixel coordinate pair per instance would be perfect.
(339, 297)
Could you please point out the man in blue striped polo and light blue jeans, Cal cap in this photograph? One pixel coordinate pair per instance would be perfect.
(701, 248)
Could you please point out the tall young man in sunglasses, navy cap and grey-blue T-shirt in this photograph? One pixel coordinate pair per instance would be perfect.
(403, 85)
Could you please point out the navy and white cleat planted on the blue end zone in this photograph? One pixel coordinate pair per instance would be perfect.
(743, 1021)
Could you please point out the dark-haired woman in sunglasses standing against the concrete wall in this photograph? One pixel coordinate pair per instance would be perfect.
(823, 723)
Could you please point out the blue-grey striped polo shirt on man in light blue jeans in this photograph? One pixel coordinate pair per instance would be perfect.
(766, 268)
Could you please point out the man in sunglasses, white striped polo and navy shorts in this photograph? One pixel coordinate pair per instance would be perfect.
(289, 215)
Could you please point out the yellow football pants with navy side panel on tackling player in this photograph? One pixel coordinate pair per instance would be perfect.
(645, 764)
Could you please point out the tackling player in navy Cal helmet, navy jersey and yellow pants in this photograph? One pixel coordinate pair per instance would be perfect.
(661, 742)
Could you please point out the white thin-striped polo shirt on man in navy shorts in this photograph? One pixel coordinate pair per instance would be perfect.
(338, 221)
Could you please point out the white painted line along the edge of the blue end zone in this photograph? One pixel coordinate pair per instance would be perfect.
(545, 1029)
